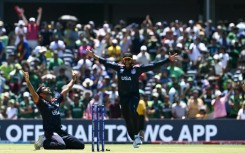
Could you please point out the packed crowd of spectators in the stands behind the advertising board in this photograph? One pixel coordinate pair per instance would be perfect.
(204, 83)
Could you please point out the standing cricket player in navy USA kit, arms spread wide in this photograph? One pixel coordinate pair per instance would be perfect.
(128, 88)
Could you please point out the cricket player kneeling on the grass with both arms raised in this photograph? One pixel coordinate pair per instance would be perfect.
(54, 137)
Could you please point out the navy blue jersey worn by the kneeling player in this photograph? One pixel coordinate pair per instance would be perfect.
(50, 113)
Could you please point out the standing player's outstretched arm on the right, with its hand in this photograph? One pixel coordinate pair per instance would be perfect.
(154, 65)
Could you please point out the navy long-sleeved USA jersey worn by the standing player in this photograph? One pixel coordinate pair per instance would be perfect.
(128, 79)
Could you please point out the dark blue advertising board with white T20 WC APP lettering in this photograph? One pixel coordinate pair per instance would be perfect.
(26, 131)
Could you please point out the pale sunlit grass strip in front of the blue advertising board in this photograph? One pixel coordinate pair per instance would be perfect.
(126, 148)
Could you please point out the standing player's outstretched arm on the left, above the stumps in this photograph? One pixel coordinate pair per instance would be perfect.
(108, 64)
